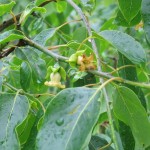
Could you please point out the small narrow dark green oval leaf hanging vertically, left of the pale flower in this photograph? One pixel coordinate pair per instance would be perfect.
(25, 75)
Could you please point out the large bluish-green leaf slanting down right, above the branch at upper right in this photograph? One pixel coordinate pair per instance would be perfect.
(125, 44)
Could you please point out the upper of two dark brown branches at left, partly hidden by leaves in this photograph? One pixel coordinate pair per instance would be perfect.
(9, 22)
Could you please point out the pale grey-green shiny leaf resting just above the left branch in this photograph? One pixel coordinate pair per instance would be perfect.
(45, 35)
